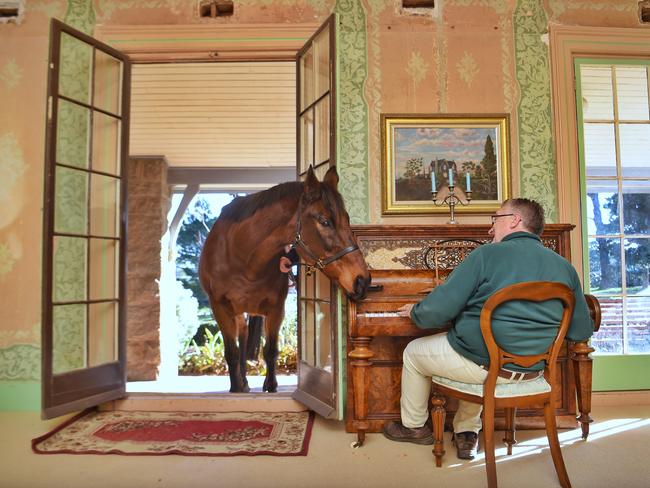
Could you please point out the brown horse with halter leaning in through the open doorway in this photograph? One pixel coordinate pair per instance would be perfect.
(240, 261)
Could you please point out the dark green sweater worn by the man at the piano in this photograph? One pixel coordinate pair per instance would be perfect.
(520, 327)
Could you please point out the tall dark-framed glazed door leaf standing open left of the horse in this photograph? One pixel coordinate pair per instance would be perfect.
(84, 224)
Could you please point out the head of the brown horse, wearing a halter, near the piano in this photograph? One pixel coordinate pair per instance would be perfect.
(324, 238)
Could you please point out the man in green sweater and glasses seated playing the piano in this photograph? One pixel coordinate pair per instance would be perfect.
(515, 255)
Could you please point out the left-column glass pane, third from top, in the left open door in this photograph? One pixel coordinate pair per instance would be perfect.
(71, 201)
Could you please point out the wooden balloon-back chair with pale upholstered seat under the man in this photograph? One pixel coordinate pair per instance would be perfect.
(531, 393)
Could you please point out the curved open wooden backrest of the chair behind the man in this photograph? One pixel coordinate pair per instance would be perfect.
(535, 291)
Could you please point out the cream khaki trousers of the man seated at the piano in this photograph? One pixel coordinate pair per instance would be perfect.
(433, 355)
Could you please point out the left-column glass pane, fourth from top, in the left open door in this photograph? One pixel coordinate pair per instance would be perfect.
(69, 269)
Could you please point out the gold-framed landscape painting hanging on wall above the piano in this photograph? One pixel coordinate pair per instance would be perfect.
(426, 153)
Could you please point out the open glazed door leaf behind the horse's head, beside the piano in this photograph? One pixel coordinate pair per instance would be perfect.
(318, 324)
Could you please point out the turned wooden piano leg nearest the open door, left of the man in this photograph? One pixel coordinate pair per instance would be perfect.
(360, 357)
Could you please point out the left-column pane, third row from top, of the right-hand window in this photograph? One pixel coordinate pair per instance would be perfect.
(602, 207)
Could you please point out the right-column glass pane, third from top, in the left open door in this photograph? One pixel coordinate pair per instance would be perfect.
(104, 206)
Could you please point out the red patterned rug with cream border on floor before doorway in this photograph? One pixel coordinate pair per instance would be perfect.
(182, 433)
